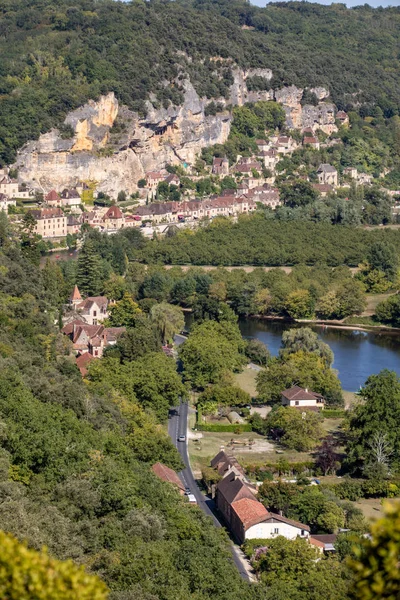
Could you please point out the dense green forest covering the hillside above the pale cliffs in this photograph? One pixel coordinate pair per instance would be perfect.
(55, 56)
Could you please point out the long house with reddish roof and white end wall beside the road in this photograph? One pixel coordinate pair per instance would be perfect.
(247, 518)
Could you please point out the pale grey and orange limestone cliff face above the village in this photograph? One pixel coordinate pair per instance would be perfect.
(114, 147)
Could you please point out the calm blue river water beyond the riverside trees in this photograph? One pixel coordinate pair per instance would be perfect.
(357, 354)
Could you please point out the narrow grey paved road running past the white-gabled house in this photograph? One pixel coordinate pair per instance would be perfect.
(177, 426)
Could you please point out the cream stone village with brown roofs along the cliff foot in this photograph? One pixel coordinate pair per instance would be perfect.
(63, 212)
